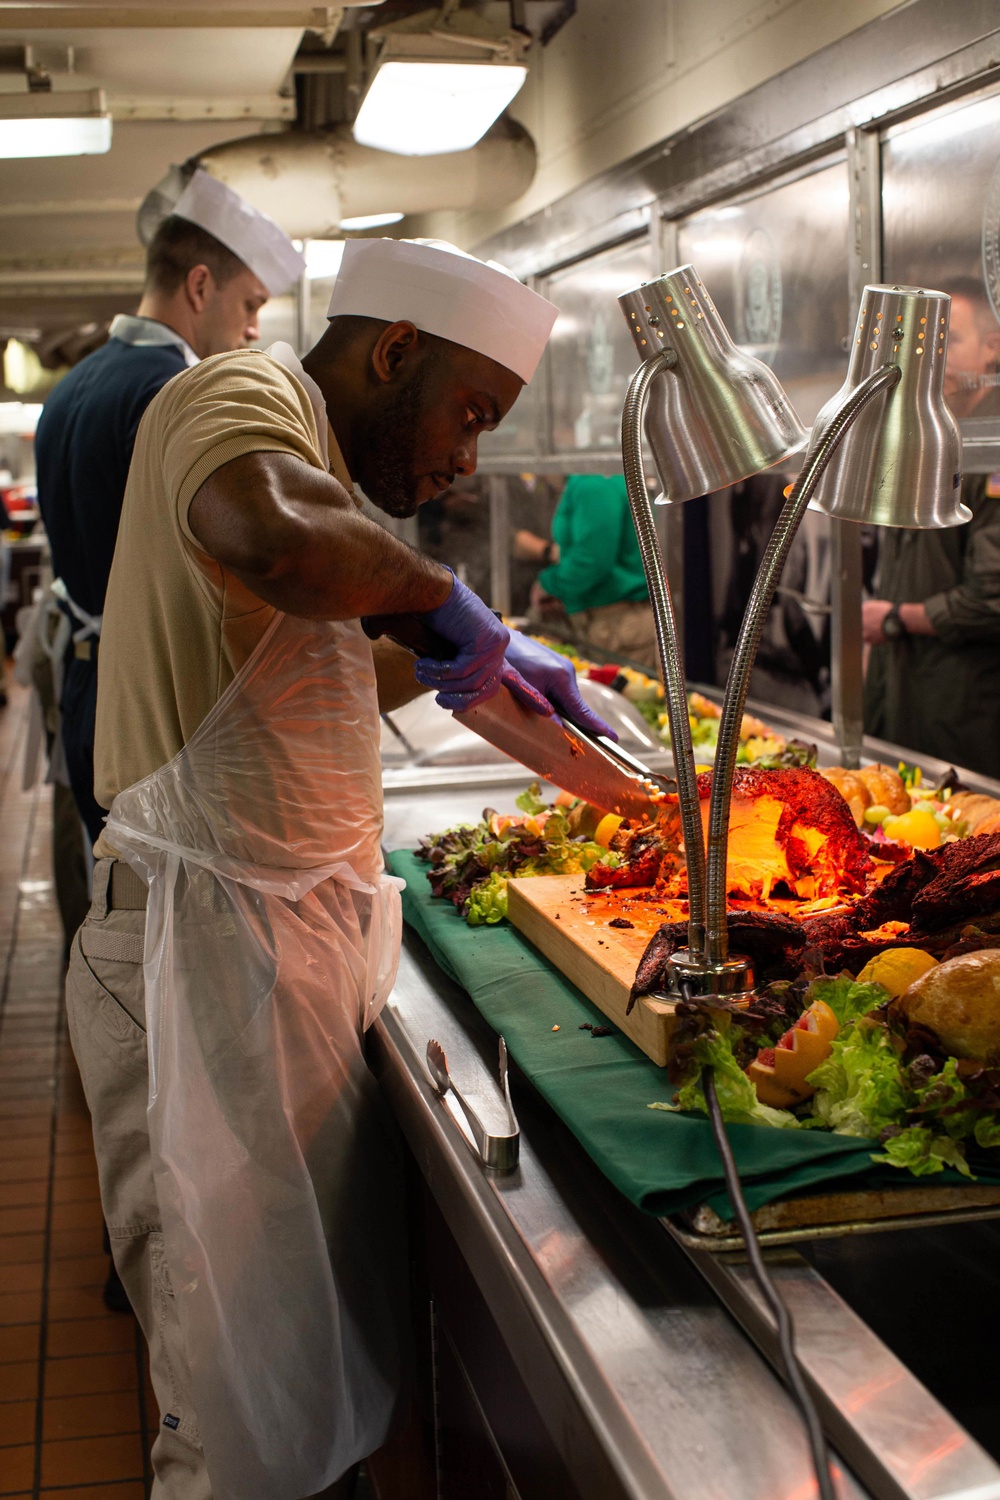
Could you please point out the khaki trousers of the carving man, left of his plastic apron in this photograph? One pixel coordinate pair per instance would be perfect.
(107, 1013)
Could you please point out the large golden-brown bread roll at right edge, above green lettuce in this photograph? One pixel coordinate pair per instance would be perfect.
(960, 1003)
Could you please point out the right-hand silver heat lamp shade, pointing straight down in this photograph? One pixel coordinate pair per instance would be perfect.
(900, 464)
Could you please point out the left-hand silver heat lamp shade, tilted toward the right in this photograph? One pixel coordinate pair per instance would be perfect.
(719, 415)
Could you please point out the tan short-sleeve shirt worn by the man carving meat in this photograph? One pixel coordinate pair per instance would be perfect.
(178, 626)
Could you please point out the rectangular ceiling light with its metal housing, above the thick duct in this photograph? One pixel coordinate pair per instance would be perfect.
(433, 94)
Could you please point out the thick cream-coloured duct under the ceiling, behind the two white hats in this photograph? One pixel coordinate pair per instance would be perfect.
(310, 181)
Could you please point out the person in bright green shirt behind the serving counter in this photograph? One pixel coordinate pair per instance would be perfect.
(594, 568)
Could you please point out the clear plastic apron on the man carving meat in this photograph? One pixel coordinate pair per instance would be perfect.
(272, 941)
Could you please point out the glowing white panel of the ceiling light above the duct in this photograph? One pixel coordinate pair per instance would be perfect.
(425, 109)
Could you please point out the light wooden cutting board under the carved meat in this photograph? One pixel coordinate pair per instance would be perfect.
(573, 932)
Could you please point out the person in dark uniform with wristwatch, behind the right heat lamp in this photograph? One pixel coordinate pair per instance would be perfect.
(933, 632)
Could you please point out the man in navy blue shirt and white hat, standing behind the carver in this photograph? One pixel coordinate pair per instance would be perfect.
(211, 268)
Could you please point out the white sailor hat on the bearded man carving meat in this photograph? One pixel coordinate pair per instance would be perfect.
(445, 292)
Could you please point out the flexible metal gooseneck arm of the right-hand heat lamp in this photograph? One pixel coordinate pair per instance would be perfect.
(746, 655)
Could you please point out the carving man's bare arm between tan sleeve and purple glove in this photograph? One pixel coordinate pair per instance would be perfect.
(296, 539)
